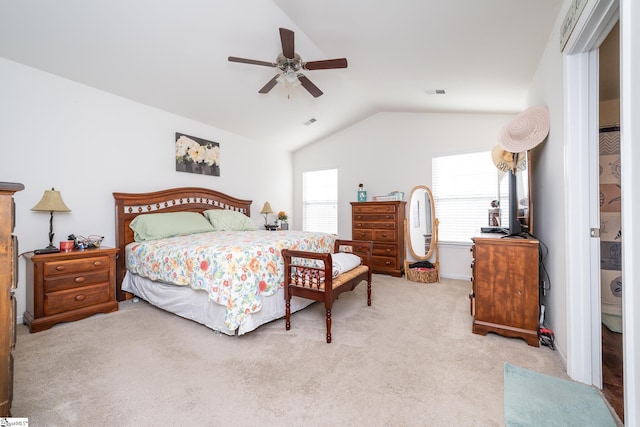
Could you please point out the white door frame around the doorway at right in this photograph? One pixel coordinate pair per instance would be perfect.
(584, 347)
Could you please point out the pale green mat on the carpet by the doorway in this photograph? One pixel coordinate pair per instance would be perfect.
(534, 399)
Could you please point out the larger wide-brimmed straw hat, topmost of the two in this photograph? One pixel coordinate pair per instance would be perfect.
(526, 130)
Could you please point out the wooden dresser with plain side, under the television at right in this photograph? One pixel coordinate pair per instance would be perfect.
(505, 293)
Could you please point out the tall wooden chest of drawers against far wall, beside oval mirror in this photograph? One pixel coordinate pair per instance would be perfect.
(382, 223)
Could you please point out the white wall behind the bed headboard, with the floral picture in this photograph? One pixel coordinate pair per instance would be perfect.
(88, 144)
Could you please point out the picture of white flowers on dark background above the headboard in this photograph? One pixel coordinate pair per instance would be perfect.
(197, 155)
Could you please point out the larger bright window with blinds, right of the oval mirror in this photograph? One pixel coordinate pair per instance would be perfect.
(463, 187)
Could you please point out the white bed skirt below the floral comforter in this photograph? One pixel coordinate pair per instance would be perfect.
(194, 304)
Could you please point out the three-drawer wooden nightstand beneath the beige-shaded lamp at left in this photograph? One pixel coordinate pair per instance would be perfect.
(68, 286)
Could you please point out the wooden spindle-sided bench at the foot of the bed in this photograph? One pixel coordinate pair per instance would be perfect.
(310, 275)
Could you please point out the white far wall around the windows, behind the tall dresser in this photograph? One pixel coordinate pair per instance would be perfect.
(393, 151)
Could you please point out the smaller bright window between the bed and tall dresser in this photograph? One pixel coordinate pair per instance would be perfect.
(320, 201)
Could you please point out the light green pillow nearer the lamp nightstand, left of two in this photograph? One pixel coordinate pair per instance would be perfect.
(162, 225)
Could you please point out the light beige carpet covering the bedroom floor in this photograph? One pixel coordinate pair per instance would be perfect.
(408, 360)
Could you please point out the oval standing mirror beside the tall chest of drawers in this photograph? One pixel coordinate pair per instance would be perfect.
(420, 225)
